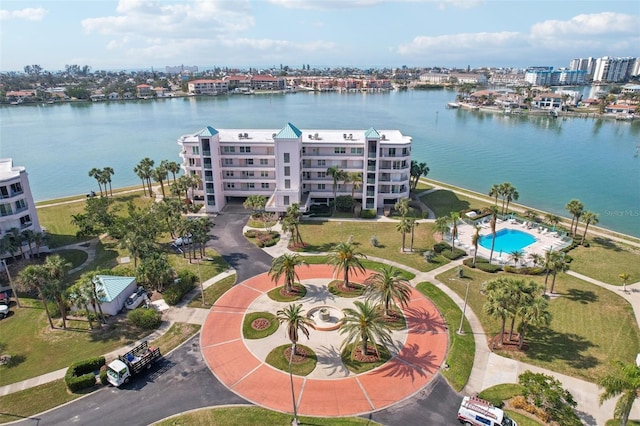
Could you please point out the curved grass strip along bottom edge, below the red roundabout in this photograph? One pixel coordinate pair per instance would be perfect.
(233, 416)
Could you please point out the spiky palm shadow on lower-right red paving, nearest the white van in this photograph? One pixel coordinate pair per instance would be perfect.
(410, 362)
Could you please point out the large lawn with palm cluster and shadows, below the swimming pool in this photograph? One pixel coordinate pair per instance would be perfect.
(591, 326)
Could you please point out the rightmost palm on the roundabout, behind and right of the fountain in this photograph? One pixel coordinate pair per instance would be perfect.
(388, 287)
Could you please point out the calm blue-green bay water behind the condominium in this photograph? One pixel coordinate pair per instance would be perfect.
(548, 160)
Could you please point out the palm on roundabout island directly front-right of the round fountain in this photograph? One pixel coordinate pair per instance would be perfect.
(365, 324)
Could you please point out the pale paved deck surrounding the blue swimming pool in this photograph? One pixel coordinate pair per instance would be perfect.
(544, 240)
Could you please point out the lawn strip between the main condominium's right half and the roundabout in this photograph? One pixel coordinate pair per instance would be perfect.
(322, 236)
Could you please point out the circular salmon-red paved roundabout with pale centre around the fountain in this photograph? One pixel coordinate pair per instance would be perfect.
(330, 390)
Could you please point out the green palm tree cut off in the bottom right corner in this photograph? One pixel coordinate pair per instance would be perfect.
(626, 382)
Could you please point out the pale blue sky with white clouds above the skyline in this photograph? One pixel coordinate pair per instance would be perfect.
(130, 34)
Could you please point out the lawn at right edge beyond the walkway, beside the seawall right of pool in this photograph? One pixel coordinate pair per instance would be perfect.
(605, 260)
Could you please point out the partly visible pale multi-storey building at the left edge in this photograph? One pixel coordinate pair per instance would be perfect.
(17, 209)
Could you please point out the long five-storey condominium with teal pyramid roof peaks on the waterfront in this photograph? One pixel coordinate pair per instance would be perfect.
(290, 165)
